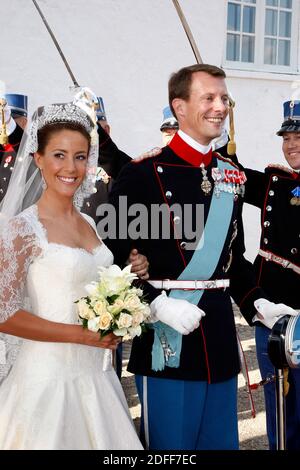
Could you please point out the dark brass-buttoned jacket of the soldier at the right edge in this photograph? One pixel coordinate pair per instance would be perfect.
(271, 191)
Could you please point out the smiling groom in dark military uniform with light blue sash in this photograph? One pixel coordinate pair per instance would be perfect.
(186, 364)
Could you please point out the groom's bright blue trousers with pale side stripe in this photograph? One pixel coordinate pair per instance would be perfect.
(188, 415)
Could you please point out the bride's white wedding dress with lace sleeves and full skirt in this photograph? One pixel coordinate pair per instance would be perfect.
(57, 395)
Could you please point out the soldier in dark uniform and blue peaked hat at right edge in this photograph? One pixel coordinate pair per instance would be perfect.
(277, 193)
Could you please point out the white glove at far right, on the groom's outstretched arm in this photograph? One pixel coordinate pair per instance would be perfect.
(268, 313)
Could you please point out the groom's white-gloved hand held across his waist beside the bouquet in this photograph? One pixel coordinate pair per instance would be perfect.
(181, 315)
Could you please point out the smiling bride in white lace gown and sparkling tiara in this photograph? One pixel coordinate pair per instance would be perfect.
(61, 392)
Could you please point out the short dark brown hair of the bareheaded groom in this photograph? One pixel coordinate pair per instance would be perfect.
(180, 82)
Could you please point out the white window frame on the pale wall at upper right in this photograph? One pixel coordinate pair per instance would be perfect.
(258, 64)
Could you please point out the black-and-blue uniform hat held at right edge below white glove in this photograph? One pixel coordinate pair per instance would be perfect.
(284, 342)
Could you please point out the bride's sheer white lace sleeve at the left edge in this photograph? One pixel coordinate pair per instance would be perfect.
(19, 245)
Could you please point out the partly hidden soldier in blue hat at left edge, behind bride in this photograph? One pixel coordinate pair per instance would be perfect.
(15, 116)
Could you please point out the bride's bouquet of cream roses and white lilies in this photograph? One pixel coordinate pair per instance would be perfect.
(113, 305)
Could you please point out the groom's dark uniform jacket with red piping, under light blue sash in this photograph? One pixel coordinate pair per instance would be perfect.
(210, 352)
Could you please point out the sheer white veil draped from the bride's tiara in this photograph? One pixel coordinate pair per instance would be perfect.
(25, 186)
